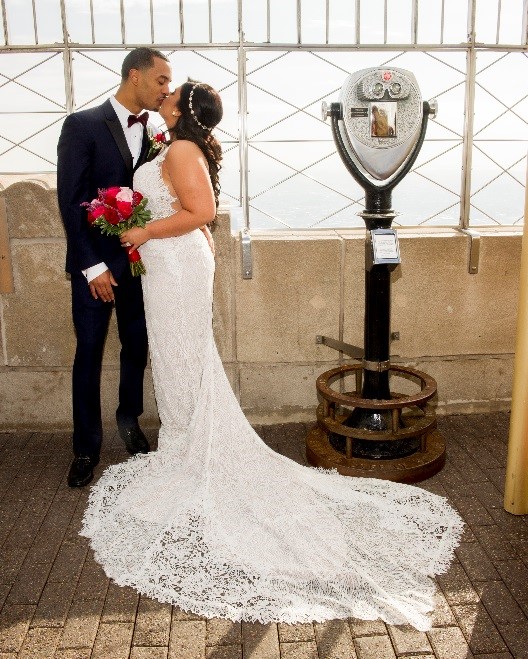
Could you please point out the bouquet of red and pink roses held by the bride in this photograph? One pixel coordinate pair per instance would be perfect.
(116, 210)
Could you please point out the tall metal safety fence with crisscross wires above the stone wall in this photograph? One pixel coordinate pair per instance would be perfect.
(274, 62)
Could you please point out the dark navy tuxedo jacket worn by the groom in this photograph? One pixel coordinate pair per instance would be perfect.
(92, 153)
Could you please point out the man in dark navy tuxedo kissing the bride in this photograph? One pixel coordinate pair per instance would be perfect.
(100, 148)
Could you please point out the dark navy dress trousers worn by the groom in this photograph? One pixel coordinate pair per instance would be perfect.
(91, 319)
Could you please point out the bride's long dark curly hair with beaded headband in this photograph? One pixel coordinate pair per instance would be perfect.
(201, 110)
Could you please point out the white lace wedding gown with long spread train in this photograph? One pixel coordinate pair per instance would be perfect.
(216, 522)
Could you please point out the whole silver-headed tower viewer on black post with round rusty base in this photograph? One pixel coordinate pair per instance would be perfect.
(378, 126)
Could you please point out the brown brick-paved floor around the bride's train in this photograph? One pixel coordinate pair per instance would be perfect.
(55, 601)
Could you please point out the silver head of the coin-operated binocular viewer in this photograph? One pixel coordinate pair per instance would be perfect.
(380, 120)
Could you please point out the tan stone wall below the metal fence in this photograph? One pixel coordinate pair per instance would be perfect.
(457, 327)
